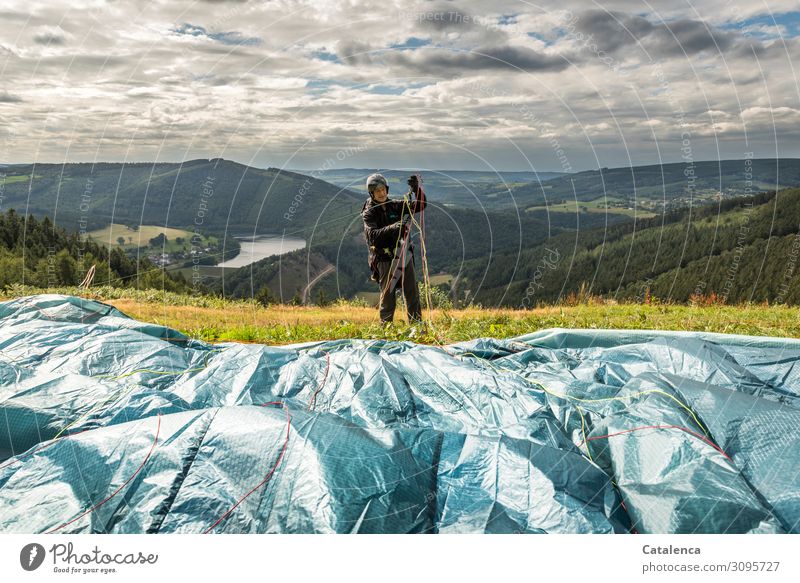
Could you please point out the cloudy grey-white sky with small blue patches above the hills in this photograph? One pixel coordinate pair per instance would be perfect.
(548, 85)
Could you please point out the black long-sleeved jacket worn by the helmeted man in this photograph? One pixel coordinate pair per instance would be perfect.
(382, 226)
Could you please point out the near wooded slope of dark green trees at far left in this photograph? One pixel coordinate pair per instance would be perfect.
(35, 252)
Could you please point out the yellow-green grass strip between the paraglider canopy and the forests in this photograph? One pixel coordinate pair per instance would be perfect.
(213, 319)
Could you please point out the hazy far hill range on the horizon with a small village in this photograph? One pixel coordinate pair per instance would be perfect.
(652, 188)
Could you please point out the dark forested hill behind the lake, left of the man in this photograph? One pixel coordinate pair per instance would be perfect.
(213, 195)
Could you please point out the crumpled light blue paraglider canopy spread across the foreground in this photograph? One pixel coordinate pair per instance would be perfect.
(109, 425)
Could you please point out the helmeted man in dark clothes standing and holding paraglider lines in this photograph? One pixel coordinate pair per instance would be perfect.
(387, 227)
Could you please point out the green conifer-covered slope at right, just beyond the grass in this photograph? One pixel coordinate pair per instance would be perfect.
(743, 249)
